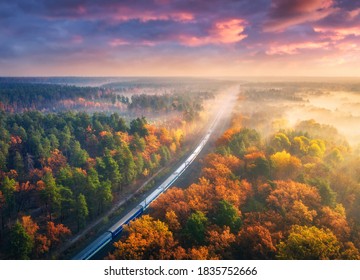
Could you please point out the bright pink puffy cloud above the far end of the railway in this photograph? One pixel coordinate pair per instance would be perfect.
(223, 32)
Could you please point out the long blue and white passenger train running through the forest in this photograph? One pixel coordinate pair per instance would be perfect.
(118, 227)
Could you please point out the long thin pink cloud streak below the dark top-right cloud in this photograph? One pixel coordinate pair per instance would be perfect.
(290, 49)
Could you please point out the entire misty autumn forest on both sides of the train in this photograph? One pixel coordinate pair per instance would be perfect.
(279, 180)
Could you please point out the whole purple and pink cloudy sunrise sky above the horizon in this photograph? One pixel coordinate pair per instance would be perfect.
(180, 38)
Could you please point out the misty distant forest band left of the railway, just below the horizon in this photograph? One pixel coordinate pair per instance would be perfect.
(129, 99)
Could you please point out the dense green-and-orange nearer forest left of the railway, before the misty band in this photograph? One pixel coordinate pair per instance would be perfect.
(67, 168)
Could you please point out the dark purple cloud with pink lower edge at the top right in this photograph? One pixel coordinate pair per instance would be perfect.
(284, 14)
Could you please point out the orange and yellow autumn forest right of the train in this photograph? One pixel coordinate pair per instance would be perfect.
(269, 190)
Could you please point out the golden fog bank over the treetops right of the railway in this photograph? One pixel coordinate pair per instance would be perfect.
(286, 104)
